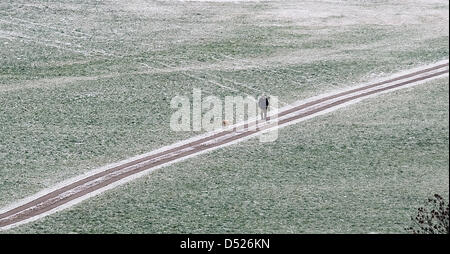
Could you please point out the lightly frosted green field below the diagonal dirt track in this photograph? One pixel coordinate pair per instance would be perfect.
(364, 168)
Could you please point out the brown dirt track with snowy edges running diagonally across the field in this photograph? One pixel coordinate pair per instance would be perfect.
(81, 188)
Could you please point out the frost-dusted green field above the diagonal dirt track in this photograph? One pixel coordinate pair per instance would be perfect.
(64, 112)
